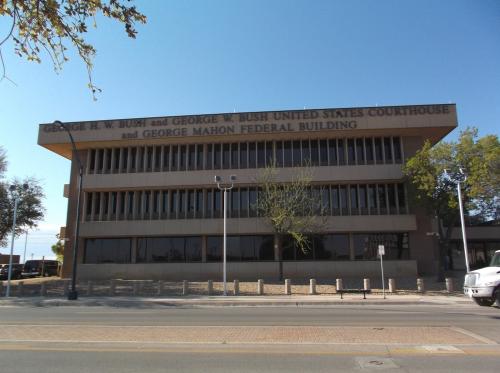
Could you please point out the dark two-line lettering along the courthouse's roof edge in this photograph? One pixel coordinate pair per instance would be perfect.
(252, 122)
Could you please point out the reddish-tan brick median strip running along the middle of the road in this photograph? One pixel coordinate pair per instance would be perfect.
(238, 334)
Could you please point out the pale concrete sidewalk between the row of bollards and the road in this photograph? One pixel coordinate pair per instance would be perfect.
(195, 301)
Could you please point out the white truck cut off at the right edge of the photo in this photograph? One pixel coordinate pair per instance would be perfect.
(483, 285)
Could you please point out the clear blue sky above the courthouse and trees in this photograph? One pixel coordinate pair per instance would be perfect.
(219, 56)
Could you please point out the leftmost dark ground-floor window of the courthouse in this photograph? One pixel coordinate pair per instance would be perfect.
(107, 250)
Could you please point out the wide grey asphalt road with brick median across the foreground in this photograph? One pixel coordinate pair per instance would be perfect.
(480, 326)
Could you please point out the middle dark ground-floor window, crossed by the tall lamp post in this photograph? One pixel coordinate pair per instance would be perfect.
(241, 248)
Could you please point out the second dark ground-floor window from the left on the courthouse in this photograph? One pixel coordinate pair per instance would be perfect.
(168, 249)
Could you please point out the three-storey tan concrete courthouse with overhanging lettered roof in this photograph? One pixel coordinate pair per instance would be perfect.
(151, 210)
